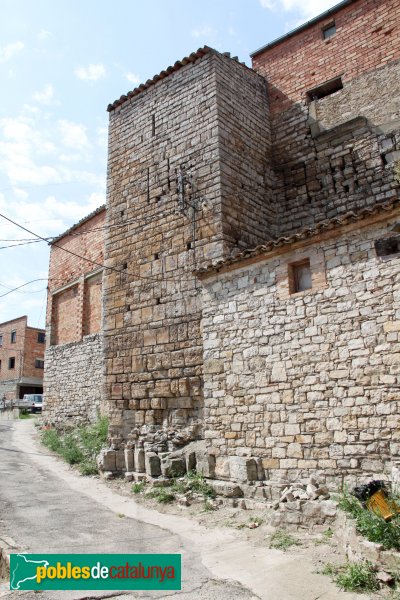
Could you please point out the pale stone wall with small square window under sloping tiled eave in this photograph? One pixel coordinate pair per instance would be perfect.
(310, 381)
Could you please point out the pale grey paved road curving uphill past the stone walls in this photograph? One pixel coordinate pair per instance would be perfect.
(46, 507)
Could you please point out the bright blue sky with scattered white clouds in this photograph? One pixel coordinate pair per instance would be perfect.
(61, 63)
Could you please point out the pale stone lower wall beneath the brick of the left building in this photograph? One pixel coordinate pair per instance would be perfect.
(74, 382)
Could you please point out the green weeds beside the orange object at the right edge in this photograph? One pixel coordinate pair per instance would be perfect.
(370, 525)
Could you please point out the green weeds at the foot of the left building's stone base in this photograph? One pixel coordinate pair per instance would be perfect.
(79, 446)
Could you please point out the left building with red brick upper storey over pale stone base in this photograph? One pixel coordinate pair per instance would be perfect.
(72, 381)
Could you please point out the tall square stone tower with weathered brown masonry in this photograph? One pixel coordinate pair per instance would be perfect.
(153, 348)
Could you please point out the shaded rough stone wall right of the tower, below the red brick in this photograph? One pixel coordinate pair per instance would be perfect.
(322, 174)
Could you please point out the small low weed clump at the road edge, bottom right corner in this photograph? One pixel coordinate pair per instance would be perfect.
(353, 577)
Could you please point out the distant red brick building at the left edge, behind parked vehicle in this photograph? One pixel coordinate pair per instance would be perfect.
(21, 358)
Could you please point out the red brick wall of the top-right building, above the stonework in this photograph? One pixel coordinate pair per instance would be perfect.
(367, 37)
